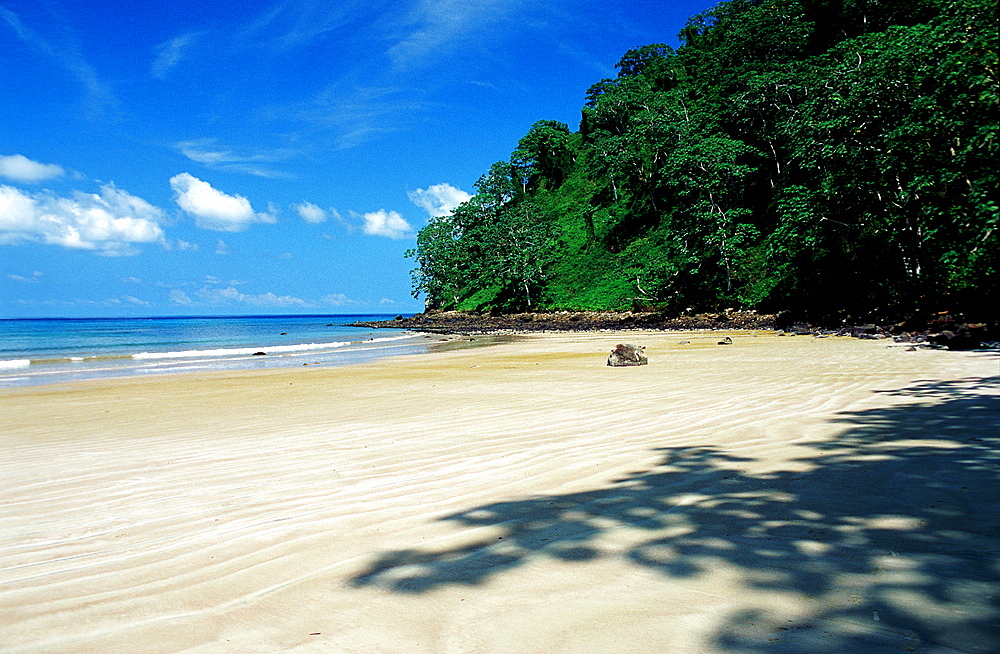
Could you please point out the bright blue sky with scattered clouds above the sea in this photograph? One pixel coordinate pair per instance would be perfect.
(176, 157)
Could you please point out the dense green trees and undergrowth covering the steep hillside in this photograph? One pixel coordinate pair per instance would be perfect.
(830, 157)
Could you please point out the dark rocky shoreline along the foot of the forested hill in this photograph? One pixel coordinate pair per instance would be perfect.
(942, 330)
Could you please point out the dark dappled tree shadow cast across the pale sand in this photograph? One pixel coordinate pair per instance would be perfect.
(892, 534)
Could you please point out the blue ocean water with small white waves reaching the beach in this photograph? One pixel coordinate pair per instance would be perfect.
(44, 351)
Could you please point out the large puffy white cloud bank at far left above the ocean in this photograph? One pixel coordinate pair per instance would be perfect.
(109, 222)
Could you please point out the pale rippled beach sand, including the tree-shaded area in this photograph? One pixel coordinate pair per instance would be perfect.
(780, 494)
